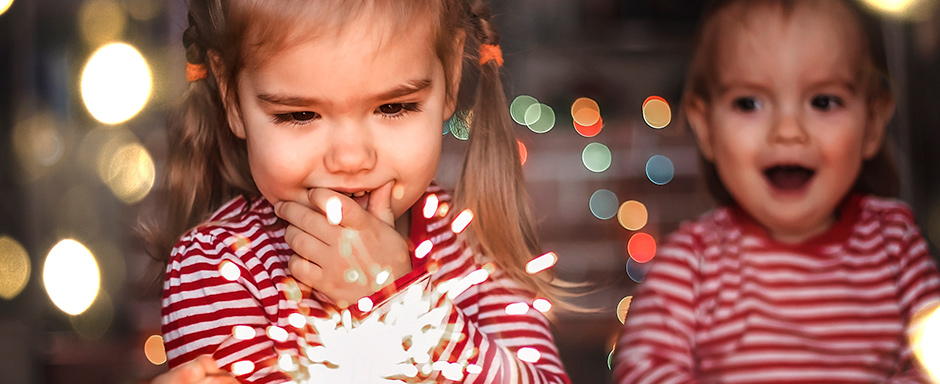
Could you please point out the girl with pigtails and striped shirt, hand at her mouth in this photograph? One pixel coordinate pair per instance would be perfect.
(312, 130)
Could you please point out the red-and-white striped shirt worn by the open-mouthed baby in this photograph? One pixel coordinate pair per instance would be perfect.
(725, 303)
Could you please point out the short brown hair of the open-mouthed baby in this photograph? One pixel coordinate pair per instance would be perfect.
(879, 174)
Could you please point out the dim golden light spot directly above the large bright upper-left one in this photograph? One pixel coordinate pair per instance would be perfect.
(101, 21)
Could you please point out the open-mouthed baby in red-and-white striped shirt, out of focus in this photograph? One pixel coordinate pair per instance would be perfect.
(804, 275)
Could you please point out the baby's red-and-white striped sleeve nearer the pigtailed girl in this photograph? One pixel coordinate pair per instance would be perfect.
(656, 344)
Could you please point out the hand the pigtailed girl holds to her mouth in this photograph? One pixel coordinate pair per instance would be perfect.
(352, 258)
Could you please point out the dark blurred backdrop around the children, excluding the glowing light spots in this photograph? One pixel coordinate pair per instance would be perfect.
(615, 52)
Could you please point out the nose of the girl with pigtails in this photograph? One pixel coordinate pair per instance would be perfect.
(351, 150)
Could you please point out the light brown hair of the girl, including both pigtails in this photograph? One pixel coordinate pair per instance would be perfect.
(208, 164)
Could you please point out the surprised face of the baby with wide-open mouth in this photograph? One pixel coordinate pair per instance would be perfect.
(787, 125)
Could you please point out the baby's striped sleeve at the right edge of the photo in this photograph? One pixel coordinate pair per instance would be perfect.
(918, 285)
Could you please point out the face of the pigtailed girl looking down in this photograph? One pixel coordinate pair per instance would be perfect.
(350, 111)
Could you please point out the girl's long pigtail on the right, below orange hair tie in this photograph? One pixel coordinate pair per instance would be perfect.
(491, 182)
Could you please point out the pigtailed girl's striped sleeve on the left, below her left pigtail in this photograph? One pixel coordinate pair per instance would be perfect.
(200, 308)
